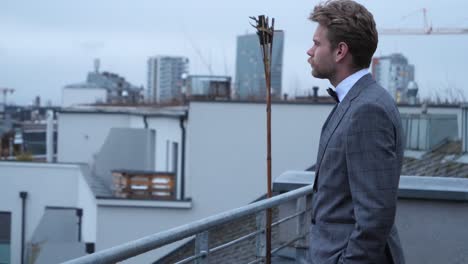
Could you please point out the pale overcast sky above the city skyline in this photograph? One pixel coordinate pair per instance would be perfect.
(47, 44)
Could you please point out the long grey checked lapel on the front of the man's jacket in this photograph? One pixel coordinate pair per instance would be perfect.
(335, 118)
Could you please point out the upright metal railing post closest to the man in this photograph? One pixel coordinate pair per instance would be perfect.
(301, 230)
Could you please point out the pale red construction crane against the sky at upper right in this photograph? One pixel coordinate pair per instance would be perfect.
(426, 30)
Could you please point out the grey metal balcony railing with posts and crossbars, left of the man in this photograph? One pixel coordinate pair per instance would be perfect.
(200, 228)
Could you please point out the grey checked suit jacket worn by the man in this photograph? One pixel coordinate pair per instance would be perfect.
(357, 174)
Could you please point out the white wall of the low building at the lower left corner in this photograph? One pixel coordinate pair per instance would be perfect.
(46, 185)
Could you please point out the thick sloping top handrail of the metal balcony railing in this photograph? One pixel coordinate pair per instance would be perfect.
(151, 242)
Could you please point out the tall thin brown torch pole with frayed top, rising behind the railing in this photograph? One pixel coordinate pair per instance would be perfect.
(265, 34)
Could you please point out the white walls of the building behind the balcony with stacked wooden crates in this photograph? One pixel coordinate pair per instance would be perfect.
(81, 136)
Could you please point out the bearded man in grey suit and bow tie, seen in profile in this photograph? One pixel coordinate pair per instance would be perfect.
(360, 154)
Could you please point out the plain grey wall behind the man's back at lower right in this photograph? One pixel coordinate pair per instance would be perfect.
(440, 224)
